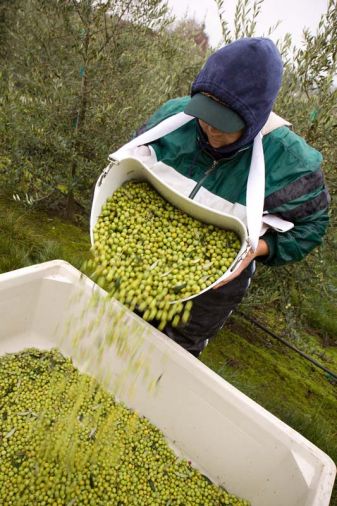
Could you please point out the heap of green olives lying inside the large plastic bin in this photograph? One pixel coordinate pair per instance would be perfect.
(64, 441)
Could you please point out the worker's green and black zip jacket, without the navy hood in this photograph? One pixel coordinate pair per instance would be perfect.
(294, 186)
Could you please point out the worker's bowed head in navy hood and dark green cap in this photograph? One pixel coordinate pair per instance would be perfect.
(233, 94)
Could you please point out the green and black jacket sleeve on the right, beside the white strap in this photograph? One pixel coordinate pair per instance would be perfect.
(300, 196)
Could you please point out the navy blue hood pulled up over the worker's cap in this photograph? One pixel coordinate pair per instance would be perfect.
(246, 75)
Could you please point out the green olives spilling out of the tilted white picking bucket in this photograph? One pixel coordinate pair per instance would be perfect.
(151, 255)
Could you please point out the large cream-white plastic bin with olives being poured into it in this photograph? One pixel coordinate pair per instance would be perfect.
(229, 437)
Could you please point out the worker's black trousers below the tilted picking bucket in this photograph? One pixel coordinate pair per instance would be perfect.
(209, 313)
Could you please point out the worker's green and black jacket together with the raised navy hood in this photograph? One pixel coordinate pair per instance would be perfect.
(246, 75)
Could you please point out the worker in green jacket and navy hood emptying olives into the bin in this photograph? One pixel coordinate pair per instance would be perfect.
(231, 102)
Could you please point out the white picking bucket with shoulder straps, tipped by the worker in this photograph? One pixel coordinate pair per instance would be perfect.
(137, 161)
